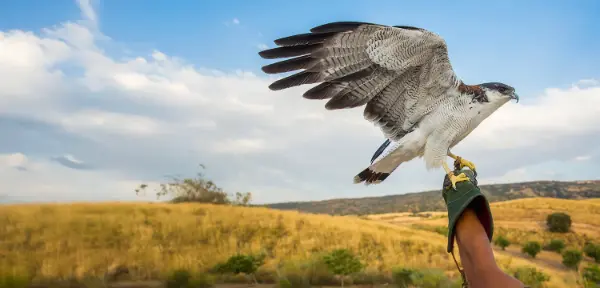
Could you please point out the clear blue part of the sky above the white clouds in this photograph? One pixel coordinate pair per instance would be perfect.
(547, 35)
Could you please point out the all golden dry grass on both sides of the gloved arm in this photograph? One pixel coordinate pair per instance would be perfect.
(86, 240)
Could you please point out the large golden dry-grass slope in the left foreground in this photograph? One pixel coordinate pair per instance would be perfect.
(58, 241)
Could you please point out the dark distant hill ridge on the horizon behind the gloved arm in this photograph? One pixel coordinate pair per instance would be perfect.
(432, 200)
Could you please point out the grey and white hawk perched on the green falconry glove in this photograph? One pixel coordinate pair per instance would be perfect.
(403, 77)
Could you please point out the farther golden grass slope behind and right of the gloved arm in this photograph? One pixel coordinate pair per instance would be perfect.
(524, 220)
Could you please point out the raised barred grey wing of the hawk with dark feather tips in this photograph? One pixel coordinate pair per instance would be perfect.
(399, 72)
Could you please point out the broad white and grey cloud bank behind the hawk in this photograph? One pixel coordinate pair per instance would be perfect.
(154, 114)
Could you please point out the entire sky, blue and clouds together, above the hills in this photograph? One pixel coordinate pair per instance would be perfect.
(97, 97)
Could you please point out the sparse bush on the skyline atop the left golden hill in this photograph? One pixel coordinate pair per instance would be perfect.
(196, 189)
